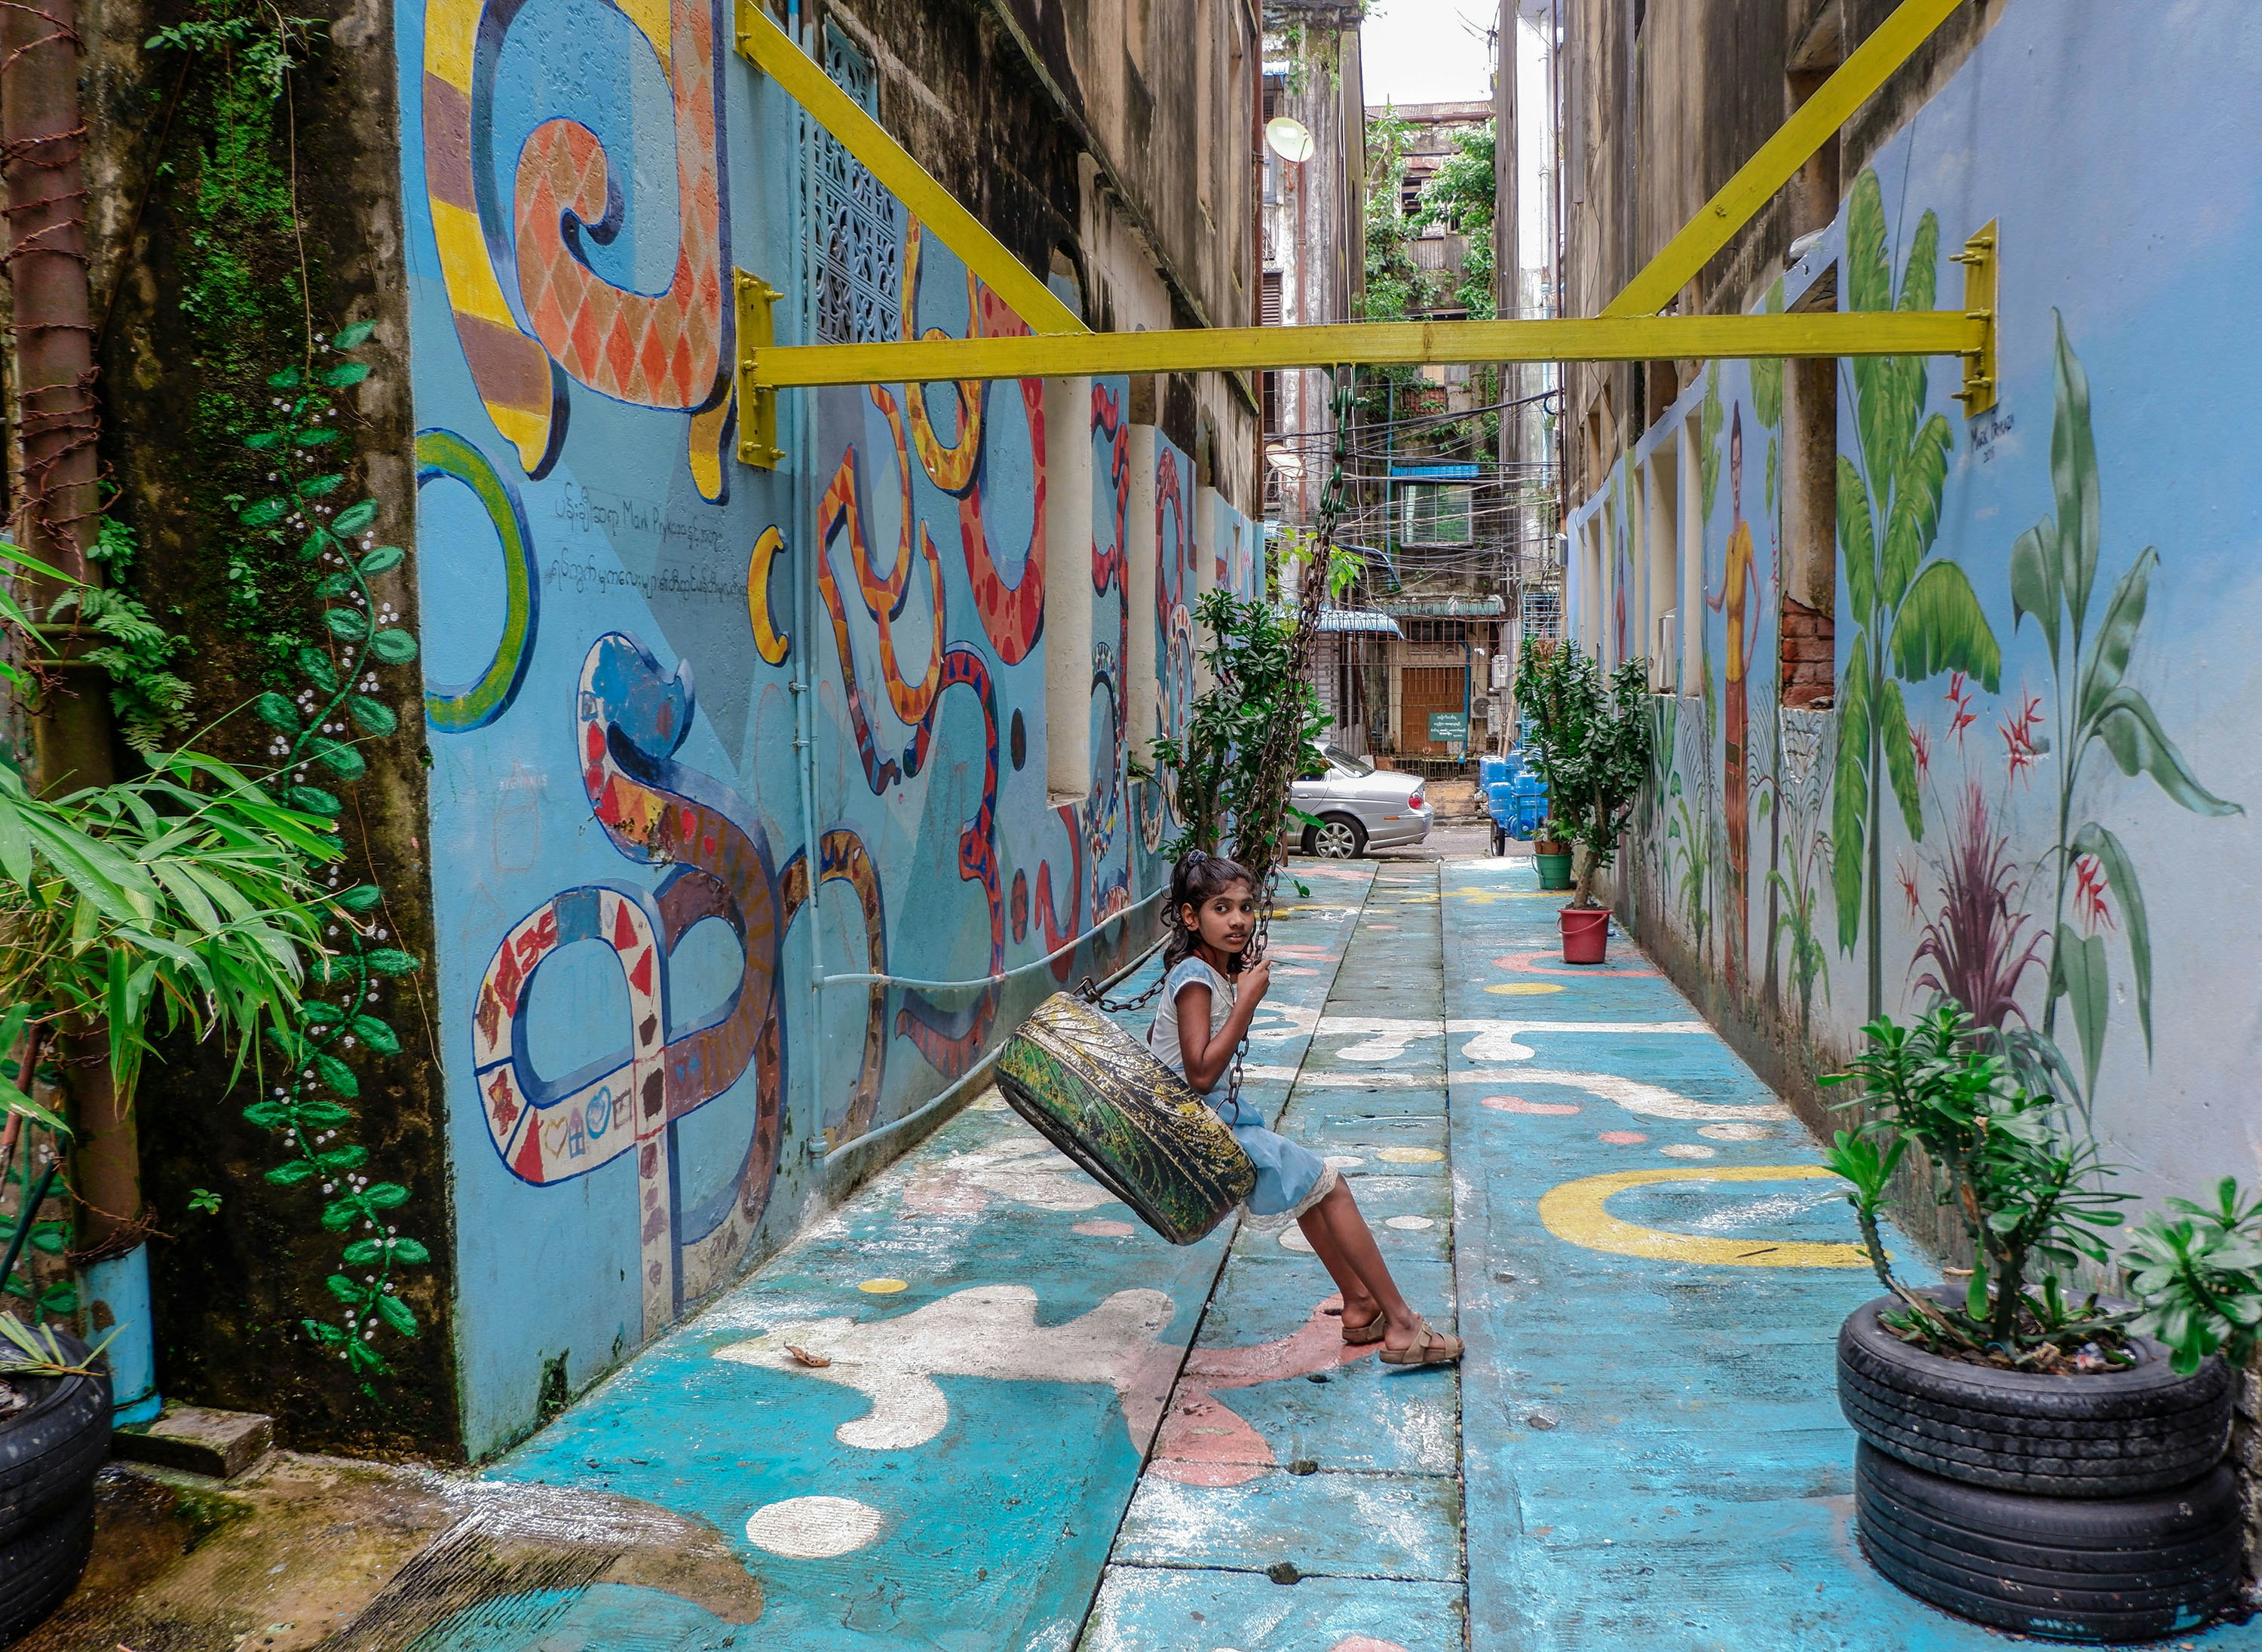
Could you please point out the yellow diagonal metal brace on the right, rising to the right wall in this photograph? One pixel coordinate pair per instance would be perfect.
(1793, 146)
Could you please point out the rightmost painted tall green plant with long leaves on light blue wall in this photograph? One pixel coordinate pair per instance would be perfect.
(2053, 583)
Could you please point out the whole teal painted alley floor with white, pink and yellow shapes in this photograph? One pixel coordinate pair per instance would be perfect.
(983, 1409)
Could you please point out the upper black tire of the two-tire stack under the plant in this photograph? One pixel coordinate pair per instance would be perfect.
(2105, 1436)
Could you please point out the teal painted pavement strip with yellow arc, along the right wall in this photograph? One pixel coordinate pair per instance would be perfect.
(1652, 1443)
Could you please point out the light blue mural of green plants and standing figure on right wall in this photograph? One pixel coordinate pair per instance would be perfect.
(2028, 786)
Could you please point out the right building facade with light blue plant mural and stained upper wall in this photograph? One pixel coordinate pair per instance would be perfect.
(1951, 705)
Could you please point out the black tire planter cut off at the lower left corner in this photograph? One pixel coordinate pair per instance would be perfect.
(49, 1459)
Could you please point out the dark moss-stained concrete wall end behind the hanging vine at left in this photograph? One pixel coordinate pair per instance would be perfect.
(207, 291)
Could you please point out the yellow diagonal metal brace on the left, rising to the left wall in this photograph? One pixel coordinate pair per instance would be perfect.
(775, 53)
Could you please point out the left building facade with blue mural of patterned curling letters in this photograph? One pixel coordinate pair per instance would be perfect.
(739, 811)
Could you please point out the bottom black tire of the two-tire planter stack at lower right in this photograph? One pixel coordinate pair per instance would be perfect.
(2071, 1569)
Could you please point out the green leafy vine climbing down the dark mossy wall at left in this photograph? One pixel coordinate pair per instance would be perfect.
(273, 454)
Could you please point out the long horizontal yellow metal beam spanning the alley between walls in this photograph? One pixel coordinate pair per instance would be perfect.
(1270, 347)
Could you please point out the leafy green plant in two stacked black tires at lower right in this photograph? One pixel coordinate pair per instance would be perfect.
(2035, 1459)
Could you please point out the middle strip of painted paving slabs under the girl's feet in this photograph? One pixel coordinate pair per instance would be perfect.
(1349, 1477)
